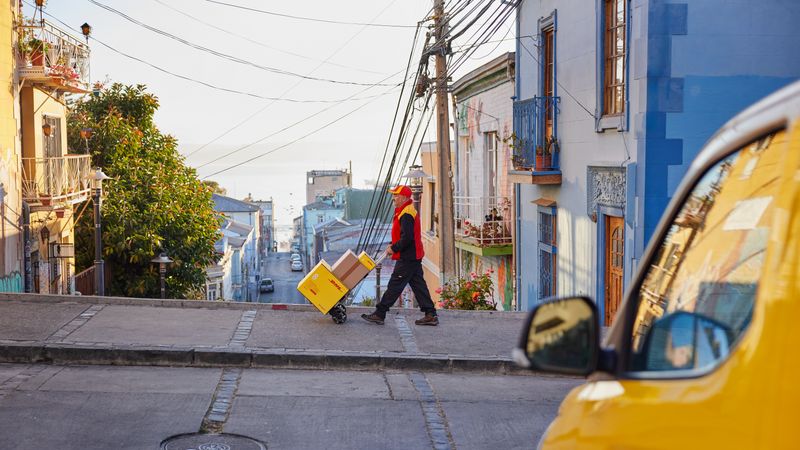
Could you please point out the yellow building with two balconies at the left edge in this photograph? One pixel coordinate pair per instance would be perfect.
(44, 182)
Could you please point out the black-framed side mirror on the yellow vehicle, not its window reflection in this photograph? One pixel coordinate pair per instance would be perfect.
(561, 336)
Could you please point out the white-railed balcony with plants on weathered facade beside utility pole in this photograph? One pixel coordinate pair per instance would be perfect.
(483, 225)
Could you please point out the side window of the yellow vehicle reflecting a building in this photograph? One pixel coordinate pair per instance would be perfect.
(697, 297)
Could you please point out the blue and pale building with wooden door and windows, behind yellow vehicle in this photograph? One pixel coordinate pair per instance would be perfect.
(613, 99)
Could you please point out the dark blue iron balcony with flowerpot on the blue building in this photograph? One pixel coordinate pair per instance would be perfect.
(536, 148)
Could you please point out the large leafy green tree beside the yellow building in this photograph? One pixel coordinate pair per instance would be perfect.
(153, 202)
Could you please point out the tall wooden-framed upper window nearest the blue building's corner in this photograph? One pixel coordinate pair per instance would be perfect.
(614, 49)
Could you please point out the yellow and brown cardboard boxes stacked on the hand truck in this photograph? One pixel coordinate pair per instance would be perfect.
(324, 285)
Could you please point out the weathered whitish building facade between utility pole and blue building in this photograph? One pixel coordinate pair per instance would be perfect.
(483, 199)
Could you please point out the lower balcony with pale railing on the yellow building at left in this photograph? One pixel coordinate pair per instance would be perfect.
(51, 183)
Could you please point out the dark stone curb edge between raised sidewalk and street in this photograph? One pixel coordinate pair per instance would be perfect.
(278, 359)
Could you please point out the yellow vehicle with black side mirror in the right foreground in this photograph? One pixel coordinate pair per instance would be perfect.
(703, 352)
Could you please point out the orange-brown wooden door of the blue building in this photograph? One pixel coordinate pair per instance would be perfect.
(614, 256)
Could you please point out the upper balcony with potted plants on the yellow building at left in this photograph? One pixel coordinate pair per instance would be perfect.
(53, 58)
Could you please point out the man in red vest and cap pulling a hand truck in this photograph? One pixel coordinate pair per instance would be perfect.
(406, 249)
